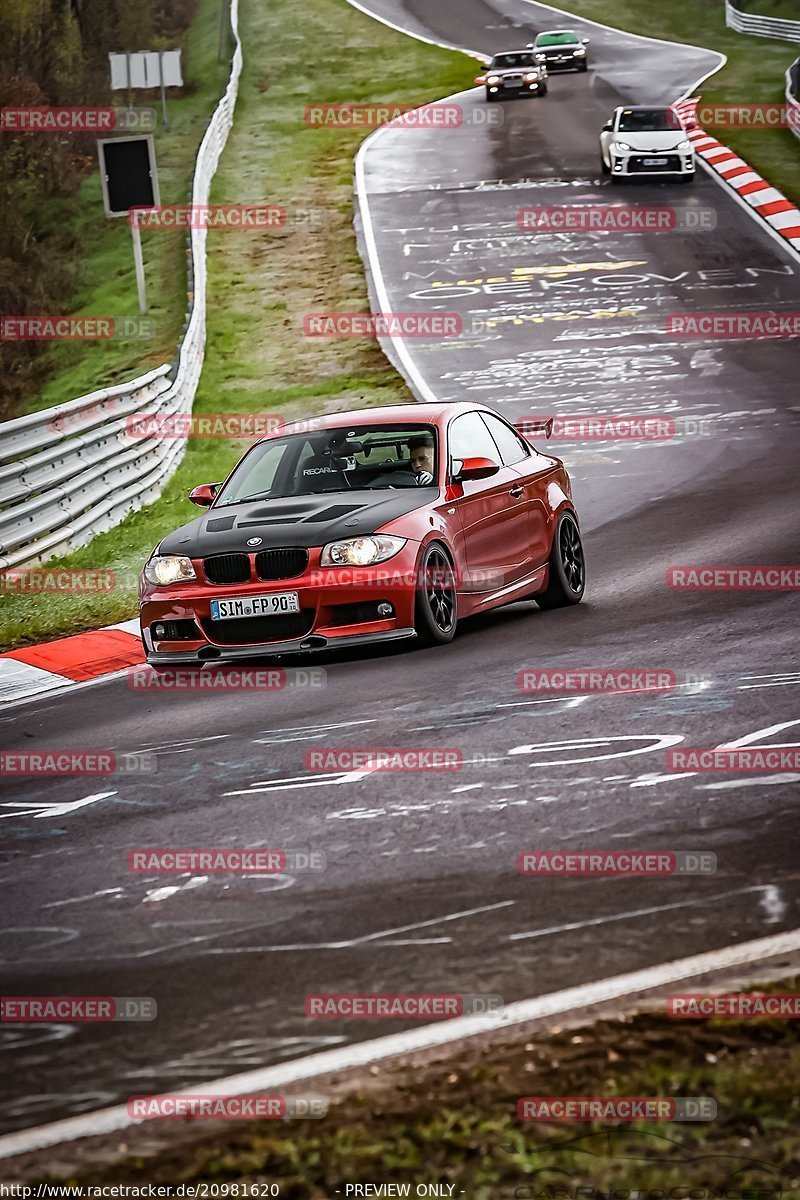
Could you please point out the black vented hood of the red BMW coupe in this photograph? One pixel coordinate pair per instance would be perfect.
(294, 521)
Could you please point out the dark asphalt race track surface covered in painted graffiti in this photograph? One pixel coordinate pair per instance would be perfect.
(422, 891)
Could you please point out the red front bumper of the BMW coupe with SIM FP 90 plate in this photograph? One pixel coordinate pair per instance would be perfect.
(338, 608)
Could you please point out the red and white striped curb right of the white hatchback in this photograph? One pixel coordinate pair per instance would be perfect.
(765, 200)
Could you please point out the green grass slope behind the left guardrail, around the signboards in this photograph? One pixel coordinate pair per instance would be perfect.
(107, 277)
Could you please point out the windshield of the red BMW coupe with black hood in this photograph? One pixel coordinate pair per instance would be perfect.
(372, 457)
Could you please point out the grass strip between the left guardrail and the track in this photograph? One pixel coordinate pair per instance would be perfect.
(262, 285)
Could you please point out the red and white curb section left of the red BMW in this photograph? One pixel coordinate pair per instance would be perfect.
(39, 670)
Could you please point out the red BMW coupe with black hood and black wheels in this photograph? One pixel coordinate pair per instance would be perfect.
(364, 527)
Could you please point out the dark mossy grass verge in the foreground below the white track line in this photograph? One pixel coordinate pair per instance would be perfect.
(456, 1124)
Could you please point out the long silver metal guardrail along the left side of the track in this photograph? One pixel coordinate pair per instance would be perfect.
(73, 472)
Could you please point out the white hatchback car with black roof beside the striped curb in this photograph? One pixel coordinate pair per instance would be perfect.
(647, 142)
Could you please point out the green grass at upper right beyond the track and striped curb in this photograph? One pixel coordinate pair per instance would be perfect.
(755, 73)
